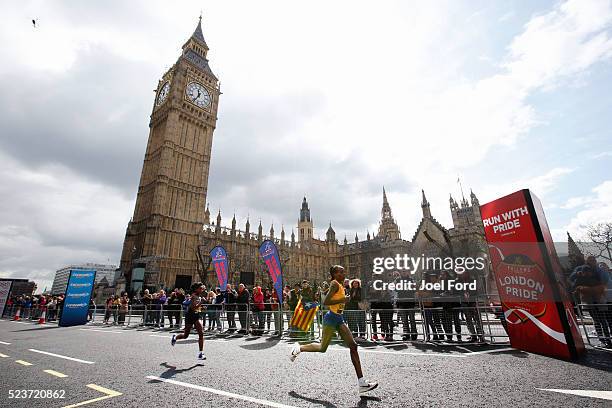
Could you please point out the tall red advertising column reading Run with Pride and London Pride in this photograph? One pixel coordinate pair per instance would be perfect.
(529, 278)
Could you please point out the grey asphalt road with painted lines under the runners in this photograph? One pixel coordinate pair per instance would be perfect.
(101, 366)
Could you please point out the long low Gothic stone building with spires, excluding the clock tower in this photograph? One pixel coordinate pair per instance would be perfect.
(310, 258)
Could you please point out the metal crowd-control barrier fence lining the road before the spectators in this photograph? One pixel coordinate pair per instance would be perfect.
(475, 322)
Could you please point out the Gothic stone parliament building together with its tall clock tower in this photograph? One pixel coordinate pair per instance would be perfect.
(169, 237)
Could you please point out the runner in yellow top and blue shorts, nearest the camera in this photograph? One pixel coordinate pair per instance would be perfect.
(334, 321)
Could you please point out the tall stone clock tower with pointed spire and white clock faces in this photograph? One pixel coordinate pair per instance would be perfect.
(162, 237)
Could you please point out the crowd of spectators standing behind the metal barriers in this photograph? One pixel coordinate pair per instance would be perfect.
(445, 313)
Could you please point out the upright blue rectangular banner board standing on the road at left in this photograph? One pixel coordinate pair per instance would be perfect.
(76, 300)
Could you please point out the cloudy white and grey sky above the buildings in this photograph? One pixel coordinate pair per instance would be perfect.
(328, 99)
